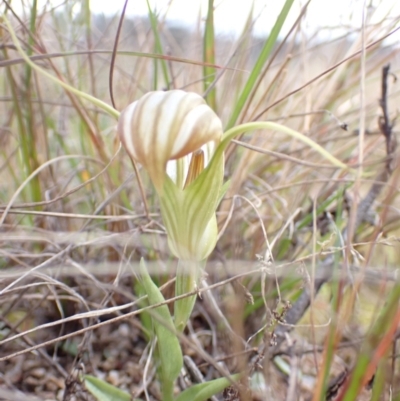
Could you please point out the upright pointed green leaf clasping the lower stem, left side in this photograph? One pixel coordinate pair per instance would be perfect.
(169, 349)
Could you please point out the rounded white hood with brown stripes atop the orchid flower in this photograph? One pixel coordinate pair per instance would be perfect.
(163, 126)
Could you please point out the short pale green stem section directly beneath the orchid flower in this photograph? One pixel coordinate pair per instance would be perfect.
(187, 276)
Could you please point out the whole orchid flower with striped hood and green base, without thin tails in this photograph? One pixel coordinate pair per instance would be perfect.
(174, 135)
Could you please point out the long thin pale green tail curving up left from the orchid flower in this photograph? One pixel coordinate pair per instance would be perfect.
(102, 105)
